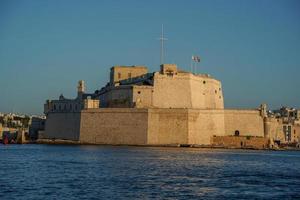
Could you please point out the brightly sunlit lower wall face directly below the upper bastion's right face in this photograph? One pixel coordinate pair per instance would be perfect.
(204, 124)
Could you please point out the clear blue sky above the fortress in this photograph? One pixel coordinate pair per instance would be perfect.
(46, 46)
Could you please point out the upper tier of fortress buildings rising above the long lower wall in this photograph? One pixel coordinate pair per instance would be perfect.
(131, 87)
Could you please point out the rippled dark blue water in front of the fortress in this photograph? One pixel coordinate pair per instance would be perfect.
(107, 172)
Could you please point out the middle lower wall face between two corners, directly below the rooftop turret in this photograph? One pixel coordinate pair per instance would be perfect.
(167, 126)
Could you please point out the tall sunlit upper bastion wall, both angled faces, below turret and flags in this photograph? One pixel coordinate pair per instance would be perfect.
(185, 90)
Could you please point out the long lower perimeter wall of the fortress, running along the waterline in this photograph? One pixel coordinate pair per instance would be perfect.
(153, 126)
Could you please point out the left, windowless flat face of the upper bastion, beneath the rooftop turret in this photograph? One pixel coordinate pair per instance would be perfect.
(171, 91)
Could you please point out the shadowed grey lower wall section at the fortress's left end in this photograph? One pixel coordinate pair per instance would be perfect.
(62, 126)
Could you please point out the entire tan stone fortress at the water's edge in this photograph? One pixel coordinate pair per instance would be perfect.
(169, 107)
